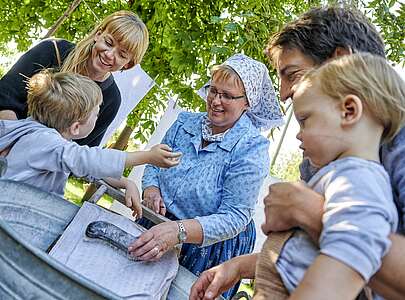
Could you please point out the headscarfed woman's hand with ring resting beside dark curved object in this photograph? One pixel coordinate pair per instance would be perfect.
(155, 242)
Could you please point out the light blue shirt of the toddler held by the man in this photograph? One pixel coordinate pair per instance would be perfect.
(359, 214)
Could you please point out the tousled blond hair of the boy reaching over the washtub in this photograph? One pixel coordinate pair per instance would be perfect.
(57, 100)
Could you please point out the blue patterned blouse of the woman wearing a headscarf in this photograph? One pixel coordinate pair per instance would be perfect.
(218, 185)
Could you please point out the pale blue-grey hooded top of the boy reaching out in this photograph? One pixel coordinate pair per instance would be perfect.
(41, 157)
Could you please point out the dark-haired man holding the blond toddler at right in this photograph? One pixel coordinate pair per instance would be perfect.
(315, 37)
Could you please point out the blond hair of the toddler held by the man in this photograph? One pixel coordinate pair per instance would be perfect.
(370, 78)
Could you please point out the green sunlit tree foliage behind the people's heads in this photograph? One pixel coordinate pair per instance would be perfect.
(187, 37)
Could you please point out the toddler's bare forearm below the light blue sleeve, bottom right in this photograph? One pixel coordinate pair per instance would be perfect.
(328, 278)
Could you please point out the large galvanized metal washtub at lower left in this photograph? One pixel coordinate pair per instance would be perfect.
(30, 222)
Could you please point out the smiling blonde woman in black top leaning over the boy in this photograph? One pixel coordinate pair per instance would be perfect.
(118, 43)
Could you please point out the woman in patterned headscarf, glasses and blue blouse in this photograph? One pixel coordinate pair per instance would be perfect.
(211, 194)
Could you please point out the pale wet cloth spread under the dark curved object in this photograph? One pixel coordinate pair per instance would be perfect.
(108, 266)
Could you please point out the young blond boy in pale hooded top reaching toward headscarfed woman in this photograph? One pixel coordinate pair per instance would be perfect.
(64, 107)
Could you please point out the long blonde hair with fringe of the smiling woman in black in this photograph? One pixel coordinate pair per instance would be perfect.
(126, 28)
